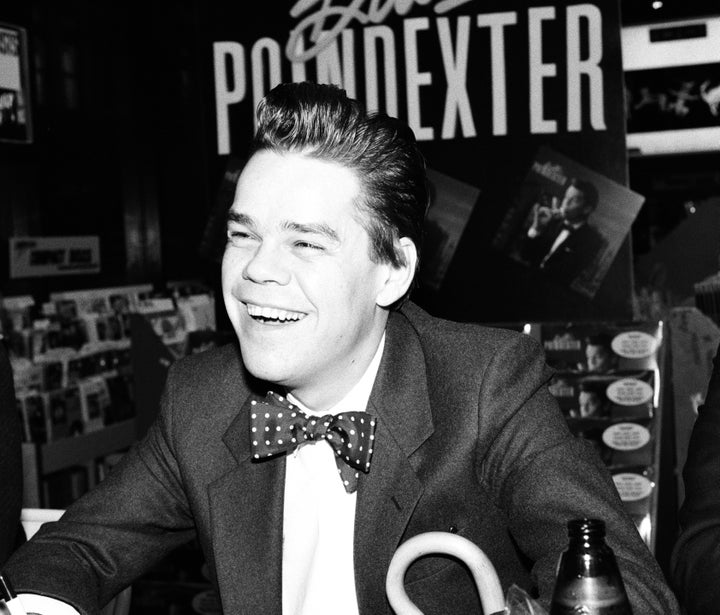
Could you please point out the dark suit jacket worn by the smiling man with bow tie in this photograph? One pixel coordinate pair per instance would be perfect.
(468, 436)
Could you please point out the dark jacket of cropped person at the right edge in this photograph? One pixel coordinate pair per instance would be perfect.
(695, 563)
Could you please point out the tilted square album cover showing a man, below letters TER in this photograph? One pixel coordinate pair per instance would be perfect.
(567, 222)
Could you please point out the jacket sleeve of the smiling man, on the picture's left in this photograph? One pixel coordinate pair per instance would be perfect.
(114, 533)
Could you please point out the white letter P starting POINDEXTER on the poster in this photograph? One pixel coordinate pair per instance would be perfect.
(234, 53)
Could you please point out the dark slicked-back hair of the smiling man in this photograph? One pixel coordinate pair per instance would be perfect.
(322, 122)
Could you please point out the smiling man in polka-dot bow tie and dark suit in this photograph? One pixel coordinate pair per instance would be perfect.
(323, 244)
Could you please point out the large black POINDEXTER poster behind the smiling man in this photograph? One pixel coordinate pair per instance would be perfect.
(484, 86)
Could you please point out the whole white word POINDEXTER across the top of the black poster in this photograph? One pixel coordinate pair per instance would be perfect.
(336, 61)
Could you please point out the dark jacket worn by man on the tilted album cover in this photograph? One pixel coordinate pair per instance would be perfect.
(572, 256)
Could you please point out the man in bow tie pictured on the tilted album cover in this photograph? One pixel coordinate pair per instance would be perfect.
(560, 241)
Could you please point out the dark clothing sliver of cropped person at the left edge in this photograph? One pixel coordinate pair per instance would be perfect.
(10, 461)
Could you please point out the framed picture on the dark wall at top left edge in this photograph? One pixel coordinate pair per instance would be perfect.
(15, 115)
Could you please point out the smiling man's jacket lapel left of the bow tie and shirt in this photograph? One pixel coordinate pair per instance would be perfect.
(246, 505)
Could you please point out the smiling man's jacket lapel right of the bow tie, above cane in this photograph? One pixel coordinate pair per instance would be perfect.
(388, 494)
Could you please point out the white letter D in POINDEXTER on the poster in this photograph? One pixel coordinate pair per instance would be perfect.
(386, 37)
